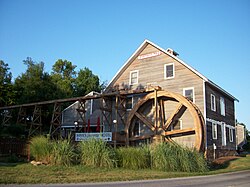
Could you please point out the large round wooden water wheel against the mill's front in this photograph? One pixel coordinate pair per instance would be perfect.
(166, 116)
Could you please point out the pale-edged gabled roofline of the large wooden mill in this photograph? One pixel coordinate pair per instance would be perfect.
(142, 47)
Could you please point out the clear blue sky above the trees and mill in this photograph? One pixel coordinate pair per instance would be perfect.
(212, 36)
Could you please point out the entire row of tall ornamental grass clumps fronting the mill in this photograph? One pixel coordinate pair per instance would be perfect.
(96, 153)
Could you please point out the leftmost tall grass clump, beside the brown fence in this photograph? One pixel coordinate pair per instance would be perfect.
(40, 149)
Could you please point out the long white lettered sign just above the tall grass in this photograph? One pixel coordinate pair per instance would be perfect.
(105, 136)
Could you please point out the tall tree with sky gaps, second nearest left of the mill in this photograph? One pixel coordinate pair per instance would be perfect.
(63, 75)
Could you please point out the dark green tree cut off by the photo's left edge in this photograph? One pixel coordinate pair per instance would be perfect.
(7, 96)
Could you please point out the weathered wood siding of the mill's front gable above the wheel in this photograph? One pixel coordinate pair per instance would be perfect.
(151, 72)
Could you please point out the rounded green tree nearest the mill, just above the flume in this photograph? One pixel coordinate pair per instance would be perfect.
(86, 82)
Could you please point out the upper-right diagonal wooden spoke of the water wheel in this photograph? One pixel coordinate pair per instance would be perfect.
(178, 112)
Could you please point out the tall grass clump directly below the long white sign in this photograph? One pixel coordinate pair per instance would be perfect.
(96, 153)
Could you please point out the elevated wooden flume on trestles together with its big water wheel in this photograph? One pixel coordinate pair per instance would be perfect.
(155, 101)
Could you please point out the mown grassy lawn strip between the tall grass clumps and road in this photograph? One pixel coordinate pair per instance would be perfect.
(26, 173)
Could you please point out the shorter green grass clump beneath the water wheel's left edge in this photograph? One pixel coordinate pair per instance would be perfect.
(134, 157)
